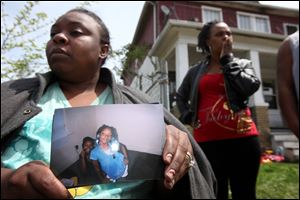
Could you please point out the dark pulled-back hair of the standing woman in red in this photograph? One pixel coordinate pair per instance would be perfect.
(204, 35)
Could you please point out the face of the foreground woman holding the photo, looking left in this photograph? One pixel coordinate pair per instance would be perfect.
(74, 51)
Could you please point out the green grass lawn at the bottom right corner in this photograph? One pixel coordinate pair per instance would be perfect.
(278, 181)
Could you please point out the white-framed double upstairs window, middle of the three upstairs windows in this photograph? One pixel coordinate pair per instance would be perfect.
(252, 22)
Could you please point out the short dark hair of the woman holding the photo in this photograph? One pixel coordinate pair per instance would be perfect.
(104, 33)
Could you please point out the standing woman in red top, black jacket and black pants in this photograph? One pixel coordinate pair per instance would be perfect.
(213, 99)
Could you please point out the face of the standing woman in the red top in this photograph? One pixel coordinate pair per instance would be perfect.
(220, 34)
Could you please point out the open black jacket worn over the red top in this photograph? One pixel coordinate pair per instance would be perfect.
(240, 83)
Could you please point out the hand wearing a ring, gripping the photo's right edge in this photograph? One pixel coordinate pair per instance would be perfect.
(177, 155)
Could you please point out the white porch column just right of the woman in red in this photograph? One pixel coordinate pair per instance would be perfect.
(258, 98)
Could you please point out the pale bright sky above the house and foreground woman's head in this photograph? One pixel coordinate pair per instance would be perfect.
(120, 17)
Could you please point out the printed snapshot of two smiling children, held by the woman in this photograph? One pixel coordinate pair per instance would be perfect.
(108, 143)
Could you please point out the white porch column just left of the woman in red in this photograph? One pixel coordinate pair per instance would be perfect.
(182, 62)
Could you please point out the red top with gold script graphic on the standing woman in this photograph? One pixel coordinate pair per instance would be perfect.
(217, 121)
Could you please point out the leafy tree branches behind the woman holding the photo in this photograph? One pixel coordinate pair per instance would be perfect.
(22, 55)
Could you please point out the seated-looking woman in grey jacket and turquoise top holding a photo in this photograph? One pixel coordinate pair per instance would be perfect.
(77, 49)
